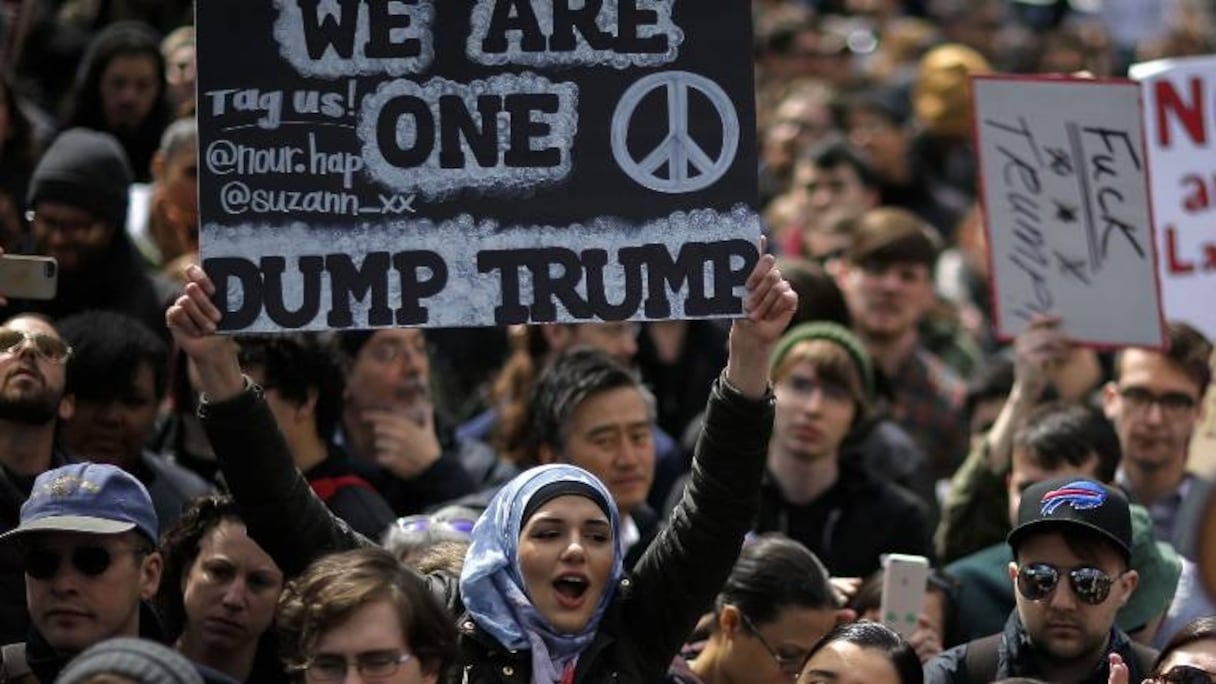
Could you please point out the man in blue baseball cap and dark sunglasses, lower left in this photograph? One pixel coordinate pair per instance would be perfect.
(88, 546)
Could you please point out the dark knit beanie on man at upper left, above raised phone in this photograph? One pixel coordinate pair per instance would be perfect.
(87, 170)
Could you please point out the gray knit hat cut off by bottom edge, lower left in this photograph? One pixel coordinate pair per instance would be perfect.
(140, 660)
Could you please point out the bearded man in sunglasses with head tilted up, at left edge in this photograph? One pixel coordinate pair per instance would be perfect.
(32, 401)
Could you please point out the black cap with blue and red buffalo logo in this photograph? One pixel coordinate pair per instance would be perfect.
(1078, 503)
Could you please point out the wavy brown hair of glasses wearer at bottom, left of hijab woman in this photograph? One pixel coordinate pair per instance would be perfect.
(335, 587)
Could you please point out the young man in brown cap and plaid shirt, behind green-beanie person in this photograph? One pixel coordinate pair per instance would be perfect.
(888, 284)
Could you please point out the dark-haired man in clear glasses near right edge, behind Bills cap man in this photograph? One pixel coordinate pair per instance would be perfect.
(1156, 403)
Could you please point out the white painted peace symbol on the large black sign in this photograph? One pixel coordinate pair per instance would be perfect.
(689, 167)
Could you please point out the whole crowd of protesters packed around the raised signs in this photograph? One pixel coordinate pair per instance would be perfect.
(682, 502)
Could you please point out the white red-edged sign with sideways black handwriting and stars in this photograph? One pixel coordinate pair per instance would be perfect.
(1068, 216)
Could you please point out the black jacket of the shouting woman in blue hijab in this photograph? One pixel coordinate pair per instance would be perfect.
(655, 608)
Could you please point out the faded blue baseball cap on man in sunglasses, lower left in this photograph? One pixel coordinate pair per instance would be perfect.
(91, 498)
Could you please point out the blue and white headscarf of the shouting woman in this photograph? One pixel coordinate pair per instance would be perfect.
(493, 588)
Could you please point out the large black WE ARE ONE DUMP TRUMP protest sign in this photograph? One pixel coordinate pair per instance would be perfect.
(475, 162)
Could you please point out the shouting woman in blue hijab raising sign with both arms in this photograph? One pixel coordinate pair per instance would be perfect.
(543, 598)
